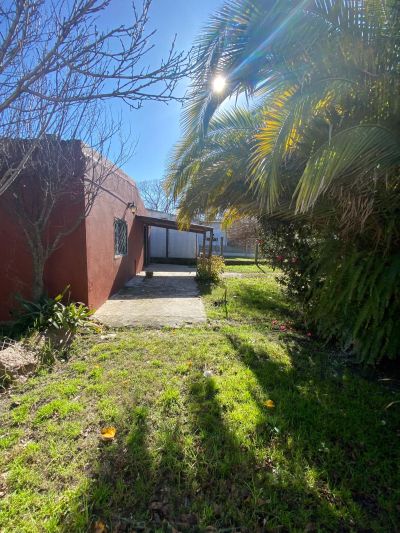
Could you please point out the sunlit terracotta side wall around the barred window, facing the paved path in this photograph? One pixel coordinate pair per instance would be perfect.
(106, 272)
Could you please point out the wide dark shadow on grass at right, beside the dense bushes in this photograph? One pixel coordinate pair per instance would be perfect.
(325, 426)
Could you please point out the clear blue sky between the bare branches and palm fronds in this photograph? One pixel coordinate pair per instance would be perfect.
(156, 127)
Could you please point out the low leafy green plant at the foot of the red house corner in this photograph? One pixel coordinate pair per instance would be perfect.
(52, 313)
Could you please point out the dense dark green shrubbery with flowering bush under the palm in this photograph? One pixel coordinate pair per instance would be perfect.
(349, 291)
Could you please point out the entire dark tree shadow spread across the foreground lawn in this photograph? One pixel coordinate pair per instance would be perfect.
(302, 467)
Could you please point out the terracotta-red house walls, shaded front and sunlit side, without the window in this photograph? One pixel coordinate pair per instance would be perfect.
(85, 259)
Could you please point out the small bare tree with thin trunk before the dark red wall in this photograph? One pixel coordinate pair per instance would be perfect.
(58, 173)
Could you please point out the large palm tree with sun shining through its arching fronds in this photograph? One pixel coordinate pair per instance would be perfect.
(323, 141)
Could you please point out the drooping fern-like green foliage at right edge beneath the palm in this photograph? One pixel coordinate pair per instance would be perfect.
(359, 301)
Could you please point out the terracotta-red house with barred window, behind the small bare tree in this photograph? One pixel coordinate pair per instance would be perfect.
(105, 250)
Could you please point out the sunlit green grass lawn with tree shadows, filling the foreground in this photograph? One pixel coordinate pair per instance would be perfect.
(193, 452)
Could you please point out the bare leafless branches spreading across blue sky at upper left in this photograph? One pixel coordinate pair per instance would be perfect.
(58, 53)
